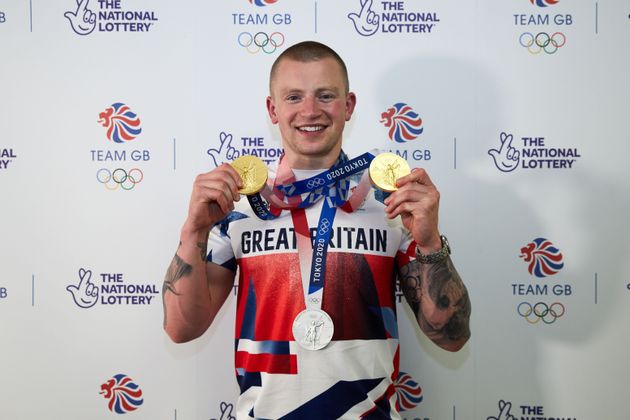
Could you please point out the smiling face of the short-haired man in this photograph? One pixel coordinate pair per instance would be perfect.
(310, 105)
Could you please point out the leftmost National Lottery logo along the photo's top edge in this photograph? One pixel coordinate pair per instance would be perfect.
(108, 16)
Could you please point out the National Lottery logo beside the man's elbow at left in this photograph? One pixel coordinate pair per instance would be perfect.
(109, 289)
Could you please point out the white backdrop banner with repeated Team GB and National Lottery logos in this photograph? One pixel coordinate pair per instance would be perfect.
(518, 109)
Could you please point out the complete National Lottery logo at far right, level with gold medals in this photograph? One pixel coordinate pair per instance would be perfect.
(531, 153)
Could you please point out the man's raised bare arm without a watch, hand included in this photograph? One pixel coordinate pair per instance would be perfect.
(194, 290)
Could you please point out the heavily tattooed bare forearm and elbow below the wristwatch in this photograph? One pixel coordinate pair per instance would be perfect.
(439, 299)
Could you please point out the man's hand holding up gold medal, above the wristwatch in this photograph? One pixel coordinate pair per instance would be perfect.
(417, 202)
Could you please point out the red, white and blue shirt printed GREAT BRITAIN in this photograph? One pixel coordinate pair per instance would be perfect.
(353, 376)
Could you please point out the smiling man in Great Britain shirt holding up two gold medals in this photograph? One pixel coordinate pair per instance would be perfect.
(316, 333)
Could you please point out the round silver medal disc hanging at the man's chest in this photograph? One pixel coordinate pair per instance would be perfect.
(313, 329)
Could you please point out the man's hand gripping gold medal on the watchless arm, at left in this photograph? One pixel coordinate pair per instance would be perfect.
(213, 197)
